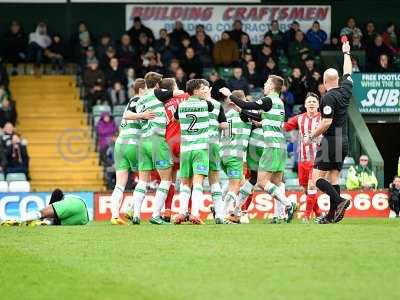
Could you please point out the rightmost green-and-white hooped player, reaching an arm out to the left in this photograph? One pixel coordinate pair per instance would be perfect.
(272, 162)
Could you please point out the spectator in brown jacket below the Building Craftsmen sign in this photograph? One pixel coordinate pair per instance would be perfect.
(226, 52)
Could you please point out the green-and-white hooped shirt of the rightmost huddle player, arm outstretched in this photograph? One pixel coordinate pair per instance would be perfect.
(272, 123)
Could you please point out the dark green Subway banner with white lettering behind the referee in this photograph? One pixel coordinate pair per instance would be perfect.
(377, 93)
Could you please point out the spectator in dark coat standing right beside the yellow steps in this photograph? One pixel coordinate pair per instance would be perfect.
(94, 82)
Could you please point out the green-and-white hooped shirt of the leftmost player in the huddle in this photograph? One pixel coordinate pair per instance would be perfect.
(129, 132)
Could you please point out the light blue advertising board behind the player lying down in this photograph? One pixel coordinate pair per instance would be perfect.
(15, 205)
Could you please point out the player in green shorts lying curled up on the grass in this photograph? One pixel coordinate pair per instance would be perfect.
(62, 210)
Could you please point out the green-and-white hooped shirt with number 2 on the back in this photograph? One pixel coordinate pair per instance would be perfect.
(194, 120)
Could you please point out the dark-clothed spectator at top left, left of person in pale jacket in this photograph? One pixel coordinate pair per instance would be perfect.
(16, 43)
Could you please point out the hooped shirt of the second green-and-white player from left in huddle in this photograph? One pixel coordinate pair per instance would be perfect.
(156, 126)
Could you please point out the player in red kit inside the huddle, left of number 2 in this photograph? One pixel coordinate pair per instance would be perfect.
(173, 137)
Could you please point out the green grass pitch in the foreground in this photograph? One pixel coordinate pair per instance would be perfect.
(357, 259)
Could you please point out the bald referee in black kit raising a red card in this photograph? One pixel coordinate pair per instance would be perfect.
(334, 144)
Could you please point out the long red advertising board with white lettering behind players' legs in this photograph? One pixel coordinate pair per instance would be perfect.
(363, 204)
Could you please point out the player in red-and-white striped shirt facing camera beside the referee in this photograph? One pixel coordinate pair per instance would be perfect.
(306, 123)
